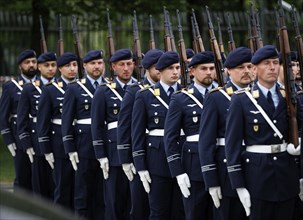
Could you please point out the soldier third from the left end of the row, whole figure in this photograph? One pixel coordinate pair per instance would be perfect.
(49, 130)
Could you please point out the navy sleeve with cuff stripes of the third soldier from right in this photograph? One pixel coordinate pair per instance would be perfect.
(172, 128)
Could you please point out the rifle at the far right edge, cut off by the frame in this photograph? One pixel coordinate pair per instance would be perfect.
(299, 42)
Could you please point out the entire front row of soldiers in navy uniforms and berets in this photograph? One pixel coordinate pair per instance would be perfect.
(151, 139)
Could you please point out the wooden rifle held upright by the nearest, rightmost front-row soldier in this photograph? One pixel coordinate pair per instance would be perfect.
(289, 82)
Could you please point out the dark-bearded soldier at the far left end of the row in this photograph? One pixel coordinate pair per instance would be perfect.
(11, 92)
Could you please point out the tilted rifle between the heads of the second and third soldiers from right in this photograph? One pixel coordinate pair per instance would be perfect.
(215, 48)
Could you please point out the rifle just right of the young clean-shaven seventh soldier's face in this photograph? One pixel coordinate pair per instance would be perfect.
(182, 53)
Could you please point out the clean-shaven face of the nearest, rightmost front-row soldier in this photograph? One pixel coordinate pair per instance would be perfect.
(267, 72)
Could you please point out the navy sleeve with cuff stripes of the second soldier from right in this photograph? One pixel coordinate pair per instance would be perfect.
(208, 134)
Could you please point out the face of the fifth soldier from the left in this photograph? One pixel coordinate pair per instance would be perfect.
(124, 69)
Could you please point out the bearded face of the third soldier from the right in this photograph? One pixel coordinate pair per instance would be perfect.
(204, 73)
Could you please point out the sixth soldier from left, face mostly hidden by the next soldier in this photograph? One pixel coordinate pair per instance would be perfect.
(139, 199)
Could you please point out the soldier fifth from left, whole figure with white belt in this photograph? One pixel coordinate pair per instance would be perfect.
(105, 109)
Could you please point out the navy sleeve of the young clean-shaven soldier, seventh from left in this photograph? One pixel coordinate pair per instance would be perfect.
(139, 125)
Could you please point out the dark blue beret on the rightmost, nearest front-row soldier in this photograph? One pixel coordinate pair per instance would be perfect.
(266, 52)
